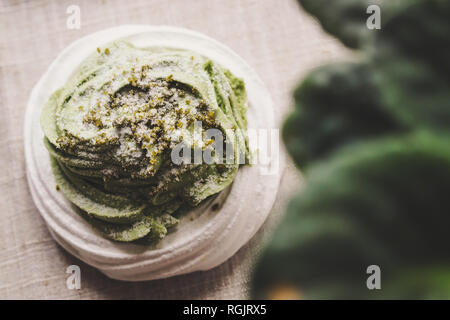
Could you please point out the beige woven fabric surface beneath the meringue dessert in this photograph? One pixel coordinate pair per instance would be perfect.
(276, 38)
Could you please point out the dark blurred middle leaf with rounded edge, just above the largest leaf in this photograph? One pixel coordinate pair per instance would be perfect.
(334, 106)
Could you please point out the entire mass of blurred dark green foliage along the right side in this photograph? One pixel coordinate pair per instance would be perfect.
(372, 139)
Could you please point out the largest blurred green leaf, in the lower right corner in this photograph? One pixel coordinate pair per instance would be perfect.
(357, 211)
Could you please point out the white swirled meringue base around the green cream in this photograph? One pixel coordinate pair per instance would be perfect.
(205, 237)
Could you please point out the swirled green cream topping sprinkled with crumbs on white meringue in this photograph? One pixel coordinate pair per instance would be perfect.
(112, 129)
